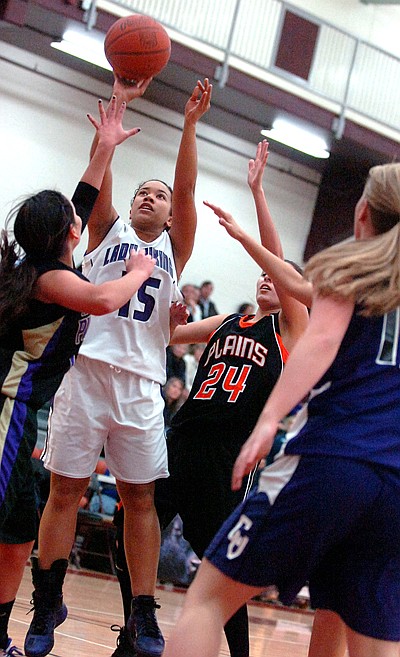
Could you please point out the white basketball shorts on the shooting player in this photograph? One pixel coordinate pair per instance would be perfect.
(99, 405)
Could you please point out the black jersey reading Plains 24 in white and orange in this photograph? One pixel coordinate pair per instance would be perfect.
(236, 373)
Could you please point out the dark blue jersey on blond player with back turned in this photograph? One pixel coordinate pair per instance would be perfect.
(354, 410)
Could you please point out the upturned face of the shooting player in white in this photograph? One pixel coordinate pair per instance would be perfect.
(151, 205)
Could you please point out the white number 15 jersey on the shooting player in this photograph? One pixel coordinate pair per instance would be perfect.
(135, 337)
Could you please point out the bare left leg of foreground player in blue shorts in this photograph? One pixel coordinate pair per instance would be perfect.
(210, 601)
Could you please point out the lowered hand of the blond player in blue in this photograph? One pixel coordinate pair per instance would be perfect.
(256, 447)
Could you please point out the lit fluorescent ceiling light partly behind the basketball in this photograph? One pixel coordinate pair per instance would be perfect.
(84, 45)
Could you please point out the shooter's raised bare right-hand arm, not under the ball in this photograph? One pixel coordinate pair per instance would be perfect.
(184, 217)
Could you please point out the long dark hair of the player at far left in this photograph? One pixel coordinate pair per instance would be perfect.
(41, 225)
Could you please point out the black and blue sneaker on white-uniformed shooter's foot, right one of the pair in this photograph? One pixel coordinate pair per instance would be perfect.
(142, 624)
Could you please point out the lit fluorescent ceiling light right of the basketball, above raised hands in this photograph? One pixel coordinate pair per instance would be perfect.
(298, 138)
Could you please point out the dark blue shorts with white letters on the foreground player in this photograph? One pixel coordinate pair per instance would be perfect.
(332, 522)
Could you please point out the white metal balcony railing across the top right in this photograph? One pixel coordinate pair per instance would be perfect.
(346, 71)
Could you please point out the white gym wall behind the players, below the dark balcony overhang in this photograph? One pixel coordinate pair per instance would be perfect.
(45, 139)
